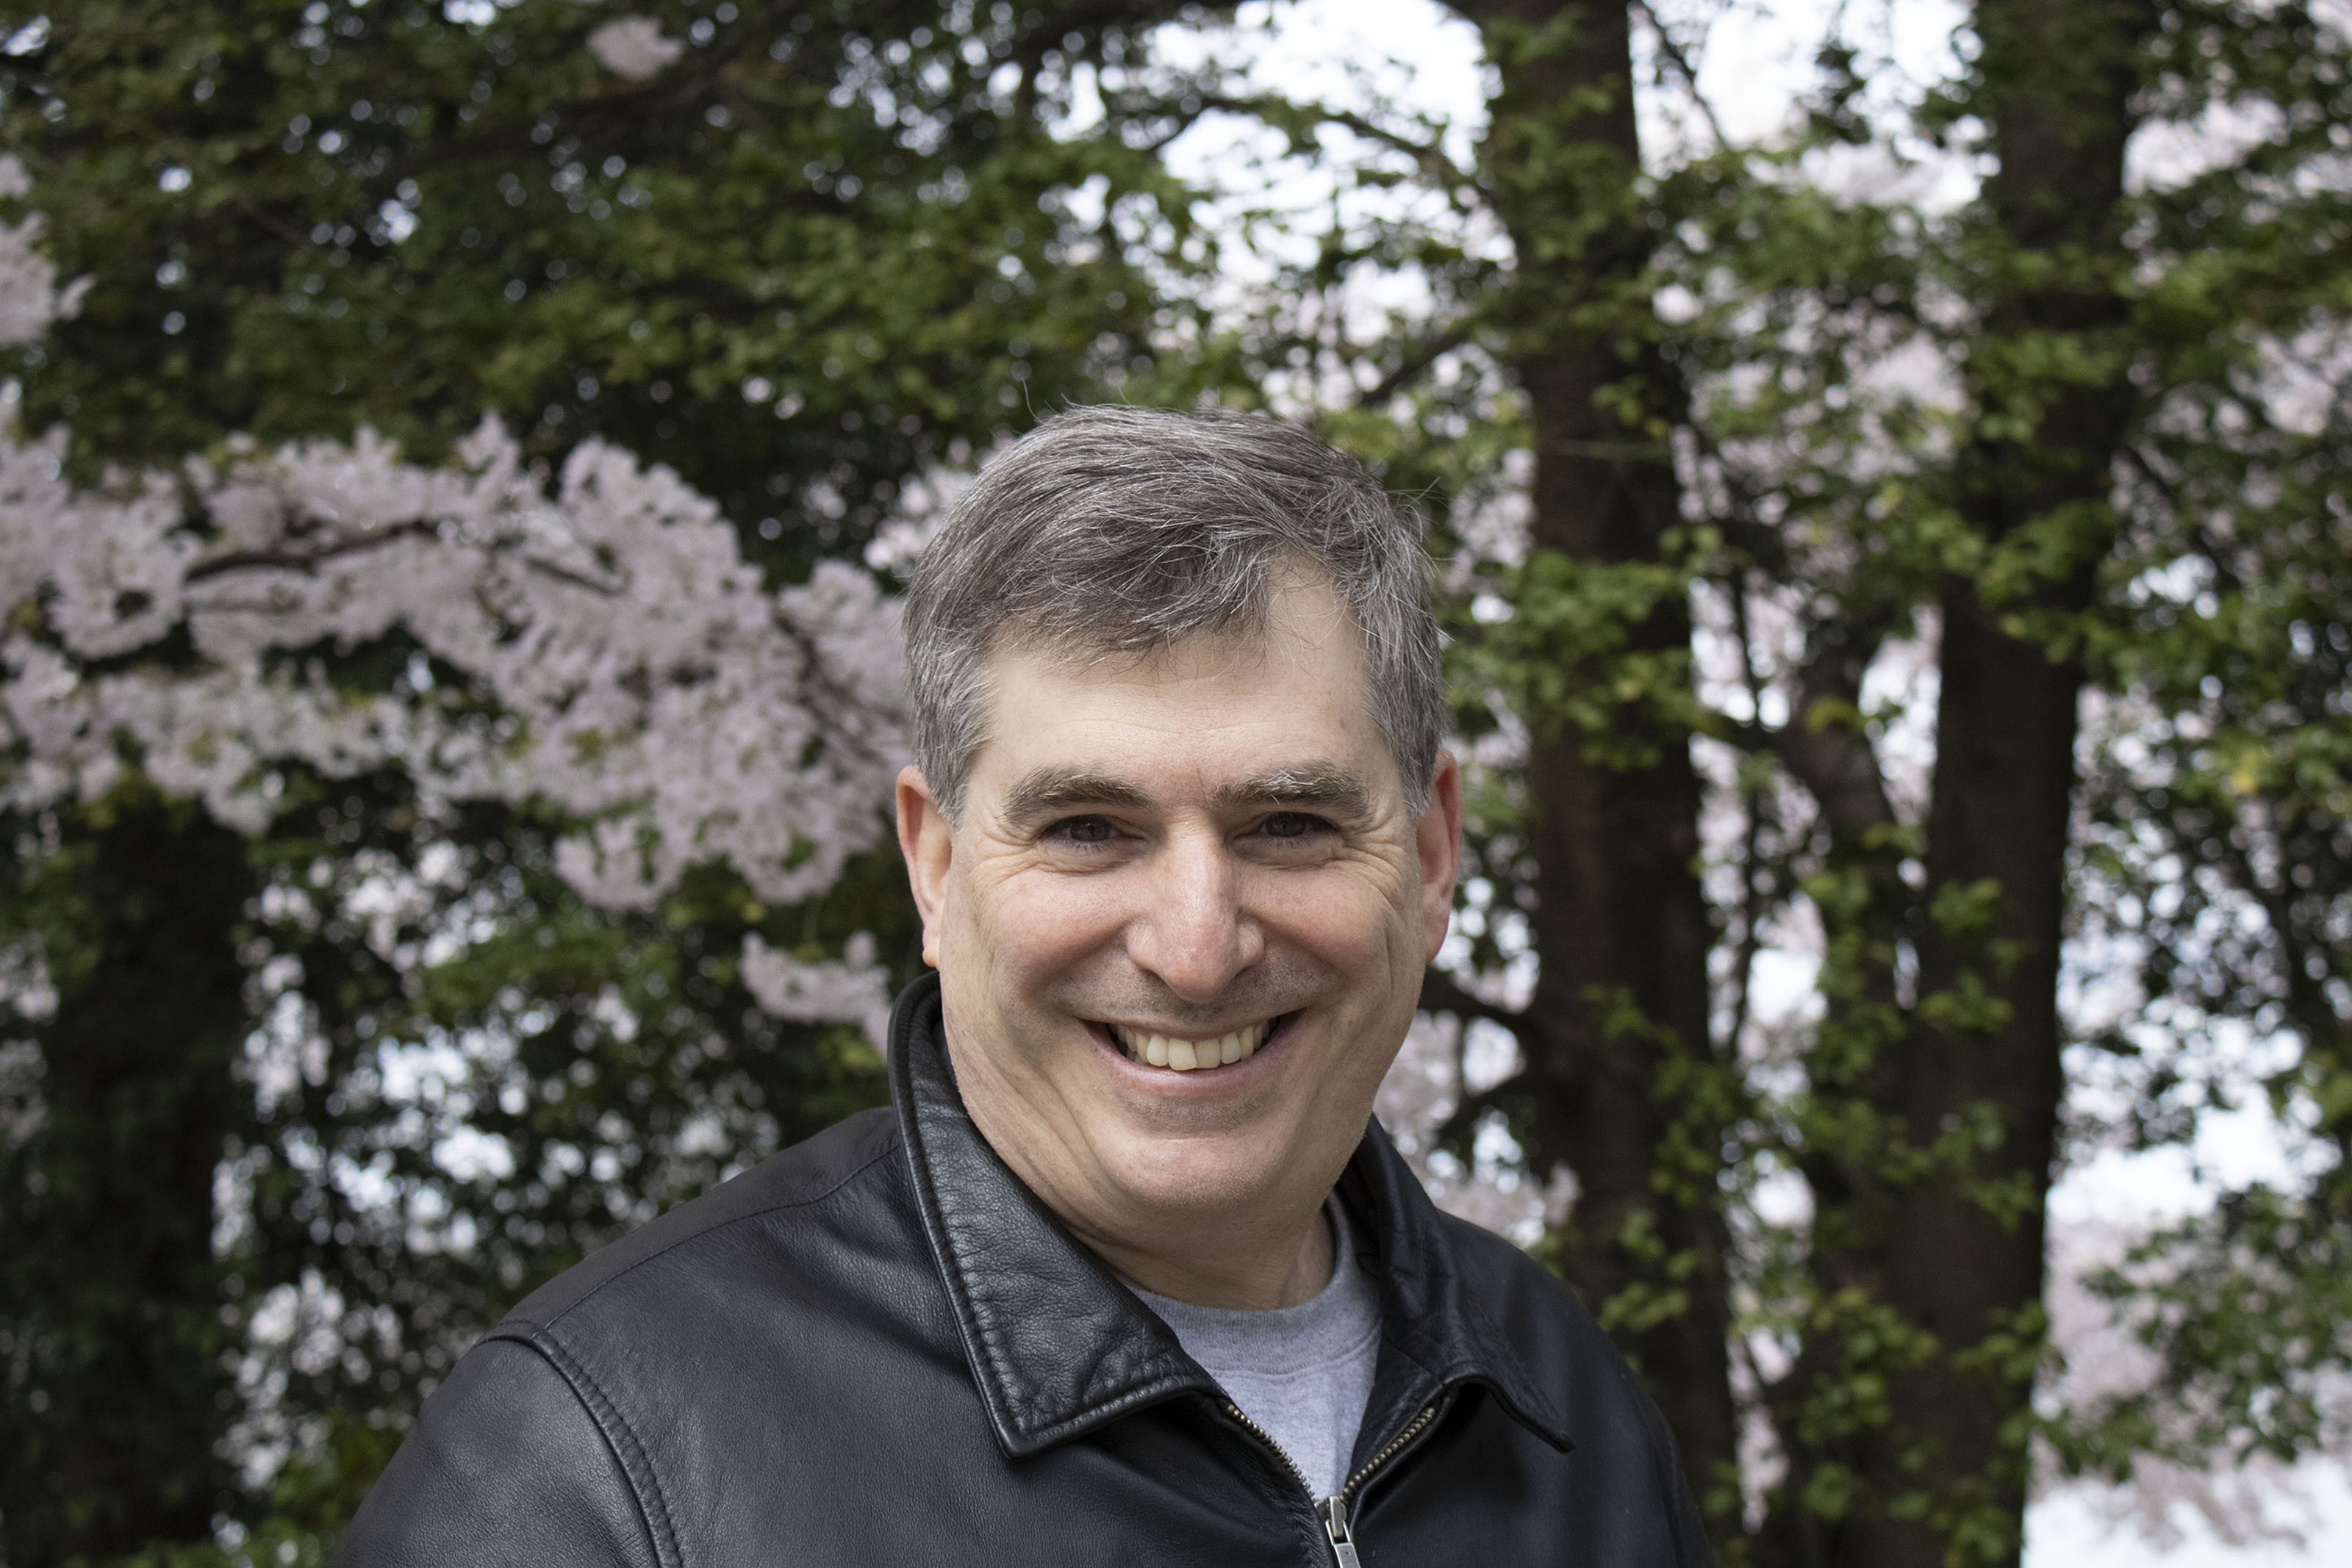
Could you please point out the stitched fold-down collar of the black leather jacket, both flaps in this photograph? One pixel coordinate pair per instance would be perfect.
(1060, 1346)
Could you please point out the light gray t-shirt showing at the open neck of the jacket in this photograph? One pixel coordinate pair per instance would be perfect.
(1302, 1372)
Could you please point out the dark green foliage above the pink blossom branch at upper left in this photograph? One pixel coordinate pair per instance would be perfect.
(813, 255)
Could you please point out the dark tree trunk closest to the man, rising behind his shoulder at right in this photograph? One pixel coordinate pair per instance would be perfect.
(1617, 1033)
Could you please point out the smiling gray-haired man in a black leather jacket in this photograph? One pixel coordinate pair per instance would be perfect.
(1123, 1275)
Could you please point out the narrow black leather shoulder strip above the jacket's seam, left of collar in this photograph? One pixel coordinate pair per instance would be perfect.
(806, 1174)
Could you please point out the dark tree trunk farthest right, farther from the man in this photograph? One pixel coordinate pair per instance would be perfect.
(1982, 1080)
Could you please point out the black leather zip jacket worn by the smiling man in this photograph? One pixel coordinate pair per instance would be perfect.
(881, 1348)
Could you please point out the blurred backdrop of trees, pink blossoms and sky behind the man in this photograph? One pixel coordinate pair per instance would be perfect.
(1887, 483)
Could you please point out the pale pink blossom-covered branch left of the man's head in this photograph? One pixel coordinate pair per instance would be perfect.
(589, 641)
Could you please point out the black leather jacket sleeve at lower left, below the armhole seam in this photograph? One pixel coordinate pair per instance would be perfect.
(507, 1468)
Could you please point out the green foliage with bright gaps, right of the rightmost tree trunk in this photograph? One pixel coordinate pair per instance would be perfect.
(2221, 847)
